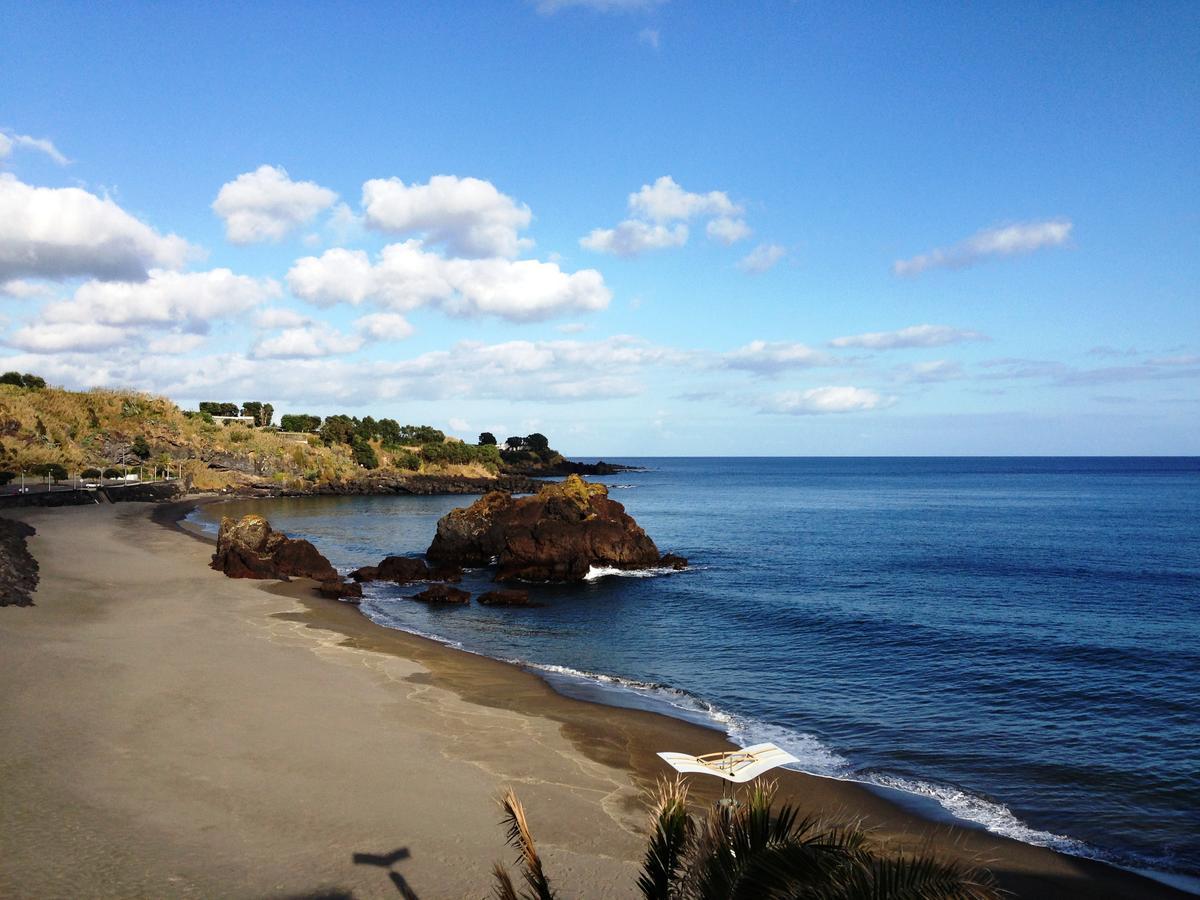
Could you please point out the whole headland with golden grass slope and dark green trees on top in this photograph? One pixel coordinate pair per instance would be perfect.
(47, 431)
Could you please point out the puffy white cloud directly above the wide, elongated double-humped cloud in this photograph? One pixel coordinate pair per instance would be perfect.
(467, 215)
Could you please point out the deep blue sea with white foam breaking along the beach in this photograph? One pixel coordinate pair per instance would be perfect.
(1017, 639)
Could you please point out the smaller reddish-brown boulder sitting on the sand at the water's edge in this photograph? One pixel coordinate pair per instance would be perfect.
(250, 549)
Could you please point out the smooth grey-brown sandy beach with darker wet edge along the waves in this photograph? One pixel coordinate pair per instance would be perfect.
(166, 731)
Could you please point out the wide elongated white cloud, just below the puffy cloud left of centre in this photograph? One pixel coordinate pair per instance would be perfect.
(409, 277)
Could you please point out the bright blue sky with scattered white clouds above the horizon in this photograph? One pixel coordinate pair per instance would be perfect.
(644, 229)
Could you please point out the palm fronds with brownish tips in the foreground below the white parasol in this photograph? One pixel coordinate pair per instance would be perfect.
(747, 849)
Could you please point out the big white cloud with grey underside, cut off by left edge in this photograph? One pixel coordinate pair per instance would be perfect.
(67, 232)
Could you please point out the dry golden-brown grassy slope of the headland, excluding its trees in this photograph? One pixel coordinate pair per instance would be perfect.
(101, 428)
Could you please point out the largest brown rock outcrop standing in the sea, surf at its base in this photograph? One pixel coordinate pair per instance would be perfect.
(559, 535)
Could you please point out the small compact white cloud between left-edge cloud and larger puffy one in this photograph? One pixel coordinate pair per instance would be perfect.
(266, 205)
